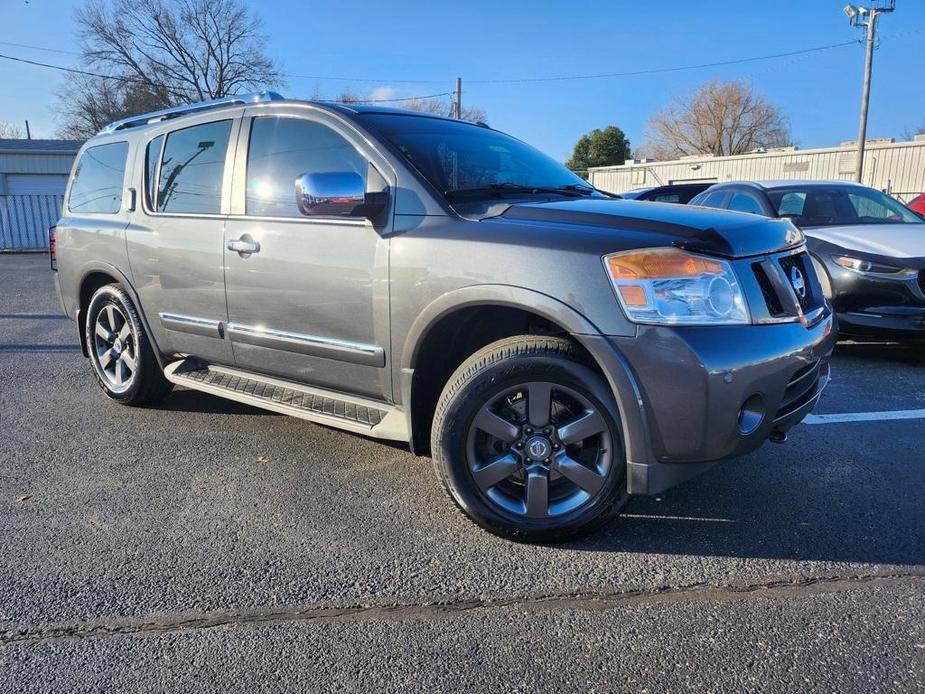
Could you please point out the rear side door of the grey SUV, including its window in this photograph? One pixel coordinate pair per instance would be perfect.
(175, 241)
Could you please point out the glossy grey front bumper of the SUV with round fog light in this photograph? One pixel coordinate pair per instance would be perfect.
(709, 393)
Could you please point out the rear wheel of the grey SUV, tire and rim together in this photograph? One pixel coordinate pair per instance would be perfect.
(120, 354)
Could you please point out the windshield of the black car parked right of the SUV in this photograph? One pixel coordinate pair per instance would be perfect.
(823, 206)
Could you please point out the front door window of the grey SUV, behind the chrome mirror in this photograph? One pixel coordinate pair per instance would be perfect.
(281, 150)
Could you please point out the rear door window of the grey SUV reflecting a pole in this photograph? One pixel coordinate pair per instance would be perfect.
(192, 169)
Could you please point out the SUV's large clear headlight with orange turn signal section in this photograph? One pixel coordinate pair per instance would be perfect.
(671, 286)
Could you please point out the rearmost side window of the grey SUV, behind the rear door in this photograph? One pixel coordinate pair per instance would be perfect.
(97, 185)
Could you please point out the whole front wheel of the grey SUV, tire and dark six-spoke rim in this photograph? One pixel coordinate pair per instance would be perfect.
(502, 412)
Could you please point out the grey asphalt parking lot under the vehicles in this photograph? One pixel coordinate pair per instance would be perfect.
(207, 546)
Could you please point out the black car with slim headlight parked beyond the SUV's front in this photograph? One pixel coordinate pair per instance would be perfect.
(868, 249)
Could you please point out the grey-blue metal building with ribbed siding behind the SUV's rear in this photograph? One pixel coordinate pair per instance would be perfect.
(33, 175)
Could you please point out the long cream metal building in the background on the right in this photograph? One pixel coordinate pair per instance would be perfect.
(896, 167)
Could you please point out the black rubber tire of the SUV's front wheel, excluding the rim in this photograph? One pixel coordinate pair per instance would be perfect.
(452, 458)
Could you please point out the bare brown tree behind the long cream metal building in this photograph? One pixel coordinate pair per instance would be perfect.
(720, 118)
